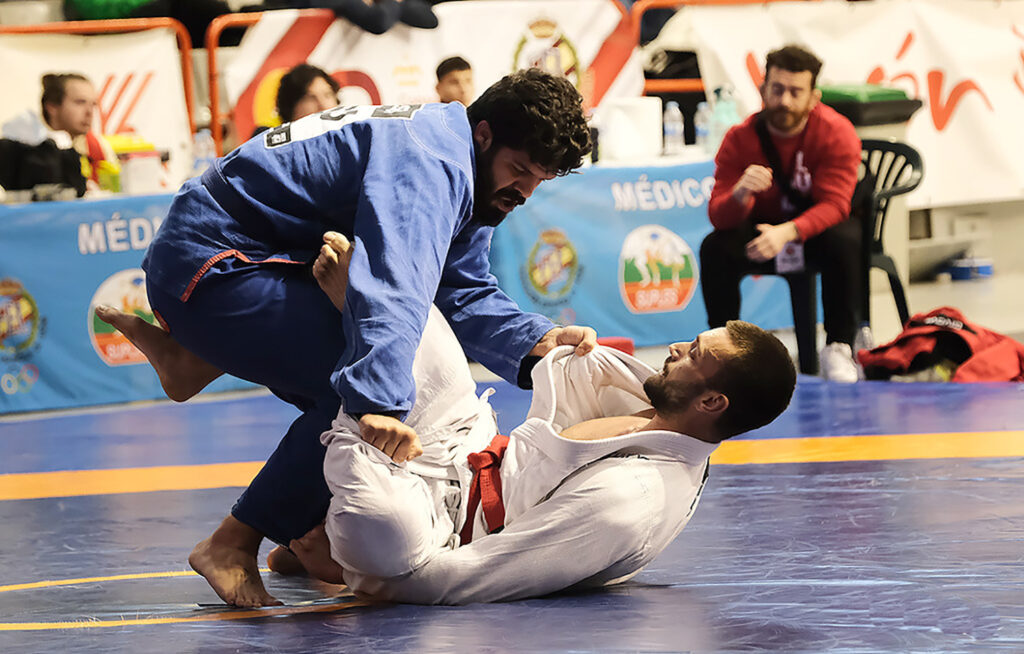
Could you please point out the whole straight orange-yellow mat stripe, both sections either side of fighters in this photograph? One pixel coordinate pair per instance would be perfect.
(774, 451)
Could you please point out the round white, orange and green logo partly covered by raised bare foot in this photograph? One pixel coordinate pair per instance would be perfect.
(124, 290)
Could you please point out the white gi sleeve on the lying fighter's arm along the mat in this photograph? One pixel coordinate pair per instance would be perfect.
(591, 524)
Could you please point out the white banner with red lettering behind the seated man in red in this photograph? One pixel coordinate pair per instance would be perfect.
(963, 59)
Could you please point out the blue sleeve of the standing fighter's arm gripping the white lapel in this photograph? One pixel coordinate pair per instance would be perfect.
(491, 327)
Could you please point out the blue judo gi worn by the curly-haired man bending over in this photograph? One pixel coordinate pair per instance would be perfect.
(229, 275)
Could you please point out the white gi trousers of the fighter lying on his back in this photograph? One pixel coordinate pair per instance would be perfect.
(387, 519)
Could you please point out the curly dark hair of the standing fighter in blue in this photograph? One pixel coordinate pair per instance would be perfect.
(539, 113)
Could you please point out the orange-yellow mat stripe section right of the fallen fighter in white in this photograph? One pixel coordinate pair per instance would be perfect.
(835, 449)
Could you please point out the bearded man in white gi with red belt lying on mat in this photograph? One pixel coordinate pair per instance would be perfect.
(603, 476)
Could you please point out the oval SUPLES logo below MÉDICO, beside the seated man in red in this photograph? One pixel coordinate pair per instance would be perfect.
(658, 272)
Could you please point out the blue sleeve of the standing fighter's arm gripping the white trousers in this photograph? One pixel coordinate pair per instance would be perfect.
(406, 217)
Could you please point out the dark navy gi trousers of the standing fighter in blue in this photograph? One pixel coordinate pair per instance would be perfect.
(273, 326)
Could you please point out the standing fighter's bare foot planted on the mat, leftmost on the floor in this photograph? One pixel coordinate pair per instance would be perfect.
(233, 575)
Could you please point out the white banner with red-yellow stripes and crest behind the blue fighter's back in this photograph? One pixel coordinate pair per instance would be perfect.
(589, 41)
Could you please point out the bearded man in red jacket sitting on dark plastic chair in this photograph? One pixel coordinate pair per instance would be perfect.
(785, 177)
